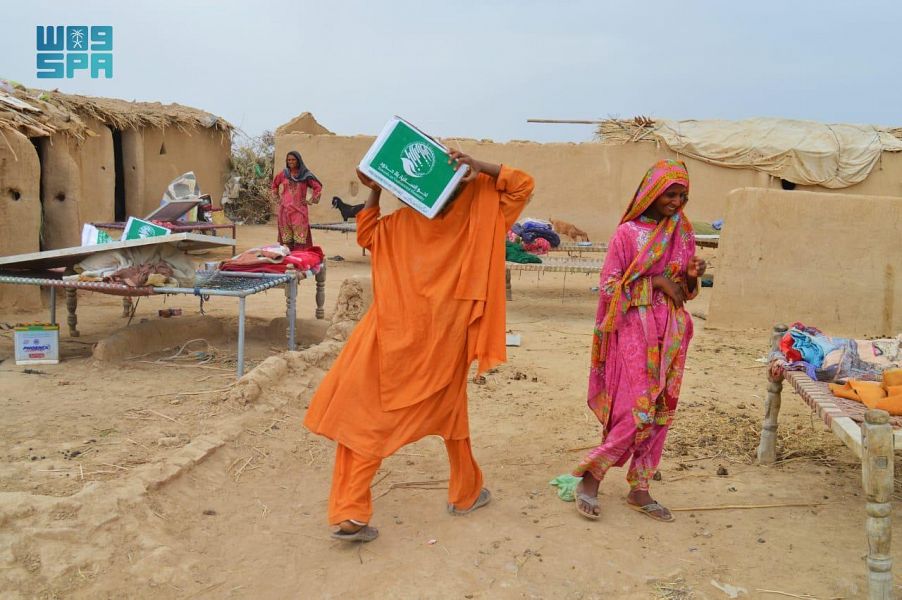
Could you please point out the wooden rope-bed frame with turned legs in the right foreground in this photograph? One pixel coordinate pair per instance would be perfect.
(870, 434)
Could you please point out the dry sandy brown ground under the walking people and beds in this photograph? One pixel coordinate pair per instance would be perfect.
(140, 479)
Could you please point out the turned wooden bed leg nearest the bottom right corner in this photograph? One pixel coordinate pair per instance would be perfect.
(877, 476)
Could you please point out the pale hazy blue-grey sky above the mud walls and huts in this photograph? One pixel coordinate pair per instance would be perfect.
(482, 68)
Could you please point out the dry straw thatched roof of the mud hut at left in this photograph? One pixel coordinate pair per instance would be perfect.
(37, 113)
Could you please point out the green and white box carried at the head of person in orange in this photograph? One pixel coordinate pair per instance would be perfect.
(412, 166)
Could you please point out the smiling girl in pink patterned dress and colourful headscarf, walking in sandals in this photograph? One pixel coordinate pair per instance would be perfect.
(642, 331)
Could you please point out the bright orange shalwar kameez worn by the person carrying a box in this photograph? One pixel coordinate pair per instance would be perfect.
(438, 305)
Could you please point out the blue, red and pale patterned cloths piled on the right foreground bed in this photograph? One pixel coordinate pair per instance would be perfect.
(826, 358)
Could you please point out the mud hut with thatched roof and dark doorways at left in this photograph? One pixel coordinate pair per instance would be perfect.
(66, 160)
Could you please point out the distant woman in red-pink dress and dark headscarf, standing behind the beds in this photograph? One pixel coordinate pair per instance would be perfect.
(293, 218)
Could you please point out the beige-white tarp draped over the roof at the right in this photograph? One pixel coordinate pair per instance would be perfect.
(803, 152)
